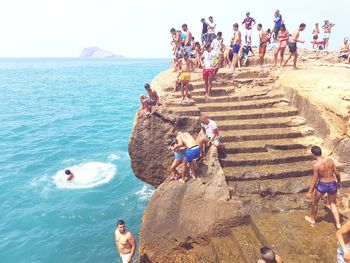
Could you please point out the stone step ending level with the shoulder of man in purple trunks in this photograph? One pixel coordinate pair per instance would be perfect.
(277, 171)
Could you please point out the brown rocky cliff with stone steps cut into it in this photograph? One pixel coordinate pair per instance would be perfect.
(251, 192)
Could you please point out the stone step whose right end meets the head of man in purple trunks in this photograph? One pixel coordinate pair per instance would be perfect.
(266, 158)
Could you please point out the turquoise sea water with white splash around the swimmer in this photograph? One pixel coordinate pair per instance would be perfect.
(76, 113)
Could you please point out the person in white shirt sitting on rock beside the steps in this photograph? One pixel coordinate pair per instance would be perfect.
(212, 136)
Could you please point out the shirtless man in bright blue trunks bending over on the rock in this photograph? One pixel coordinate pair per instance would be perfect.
(184, 139)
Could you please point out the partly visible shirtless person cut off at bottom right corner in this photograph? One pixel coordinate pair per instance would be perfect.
(343, 236)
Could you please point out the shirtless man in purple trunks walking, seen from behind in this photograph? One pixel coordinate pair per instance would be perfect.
(323, 181)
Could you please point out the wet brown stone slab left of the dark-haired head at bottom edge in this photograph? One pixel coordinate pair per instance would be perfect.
(248, 242)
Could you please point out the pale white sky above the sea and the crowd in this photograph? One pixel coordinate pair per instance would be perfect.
(140, 28)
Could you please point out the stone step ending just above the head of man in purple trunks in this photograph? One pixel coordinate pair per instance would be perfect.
(263, 145)
